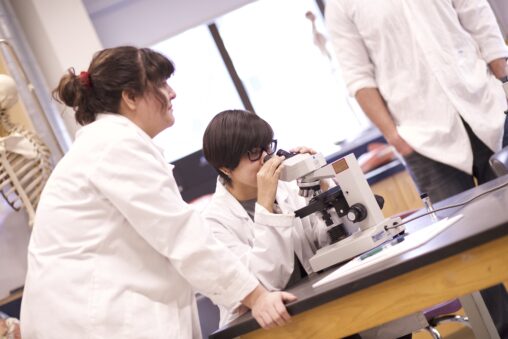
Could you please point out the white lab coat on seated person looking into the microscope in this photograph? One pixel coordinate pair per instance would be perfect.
(268, 244)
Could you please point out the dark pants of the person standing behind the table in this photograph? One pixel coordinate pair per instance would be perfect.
(441, 181)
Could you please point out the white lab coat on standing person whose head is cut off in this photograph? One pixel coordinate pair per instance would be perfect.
(428, 58)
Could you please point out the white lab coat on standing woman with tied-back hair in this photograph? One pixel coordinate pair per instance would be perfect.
(115, 252)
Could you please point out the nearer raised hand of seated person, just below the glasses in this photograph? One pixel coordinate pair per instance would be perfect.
(267, 180)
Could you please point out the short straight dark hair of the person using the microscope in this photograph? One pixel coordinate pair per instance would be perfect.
(230, 135)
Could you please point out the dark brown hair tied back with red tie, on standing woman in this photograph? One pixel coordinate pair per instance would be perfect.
(111, 71)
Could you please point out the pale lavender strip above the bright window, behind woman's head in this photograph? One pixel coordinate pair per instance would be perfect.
(146, 22)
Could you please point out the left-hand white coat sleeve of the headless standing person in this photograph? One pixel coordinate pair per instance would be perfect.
(349, 48)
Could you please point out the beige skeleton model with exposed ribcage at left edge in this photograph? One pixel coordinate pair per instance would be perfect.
(25, 162)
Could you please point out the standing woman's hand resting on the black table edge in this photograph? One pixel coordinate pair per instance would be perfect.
(268, 307)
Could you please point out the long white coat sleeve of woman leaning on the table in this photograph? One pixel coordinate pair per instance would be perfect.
(142, 190)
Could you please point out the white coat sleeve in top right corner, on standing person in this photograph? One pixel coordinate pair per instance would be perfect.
(477, 18)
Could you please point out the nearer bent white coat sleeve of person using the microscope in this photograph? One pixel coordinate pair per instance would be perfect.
(270, 256)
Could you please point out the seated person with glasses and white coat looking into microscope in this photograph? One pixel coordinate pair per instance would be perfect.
(252, 212)
